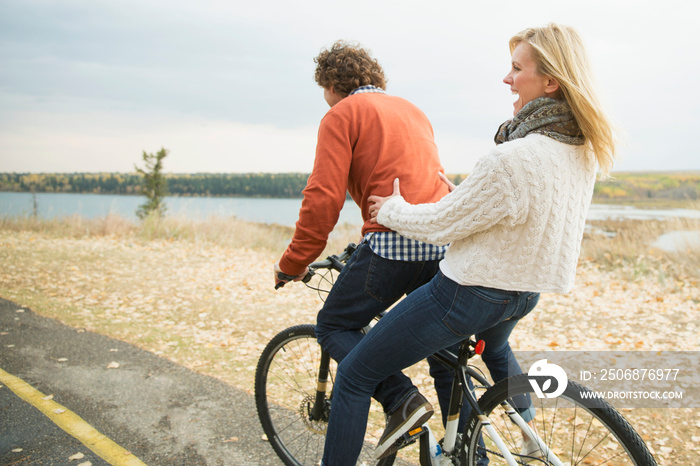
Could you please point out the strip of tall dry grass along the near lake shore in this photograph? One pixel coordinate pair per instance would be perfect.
(611, 243)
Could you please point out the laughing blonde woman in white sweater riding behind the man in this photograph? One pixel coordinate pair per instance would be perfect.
(514, 227)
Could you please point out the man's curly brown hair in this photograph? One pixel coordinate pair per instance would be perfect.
(345, 67)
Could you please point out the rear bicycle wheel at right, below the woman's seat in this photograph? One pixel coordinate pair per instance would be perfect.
(573, 428)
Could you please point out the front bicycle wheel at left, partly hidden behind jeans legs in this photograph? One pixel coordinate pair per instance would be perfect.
(286, 383)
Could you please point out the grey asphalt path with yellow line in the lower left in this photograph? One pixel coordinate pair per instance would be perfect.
(156, 411)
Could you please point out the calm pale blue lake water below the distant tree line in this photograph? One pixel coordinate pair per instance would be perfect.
(262, 210)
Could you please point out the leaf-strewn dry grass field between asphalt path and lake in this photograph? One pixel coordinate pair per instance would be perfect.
(201, 294)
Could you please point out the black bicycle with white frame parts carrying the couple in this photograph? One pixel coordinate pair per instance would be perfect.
(294, 391)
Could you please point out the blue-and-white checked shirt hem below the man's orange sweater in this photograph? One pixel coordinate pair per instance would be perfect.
(391, 245)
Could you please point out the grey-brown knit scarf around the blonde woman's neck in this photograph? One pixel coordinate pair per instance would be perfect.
(552, 118)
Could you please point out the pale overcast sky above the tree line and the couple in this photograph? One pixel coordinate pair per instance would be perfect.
(227, 86)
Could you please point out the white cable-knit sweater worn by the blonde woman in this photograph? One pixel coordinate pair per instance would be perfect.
(515, 223)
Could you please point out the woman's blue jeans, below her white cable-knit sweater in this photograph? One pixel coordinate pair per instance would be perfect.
(438, 315)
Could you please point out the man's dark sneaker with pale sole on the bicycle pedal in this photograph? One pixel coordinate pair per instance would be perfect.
(411, 414)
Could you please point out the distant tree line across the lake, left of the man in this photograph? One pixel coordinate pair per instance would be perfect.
(284, 185)
